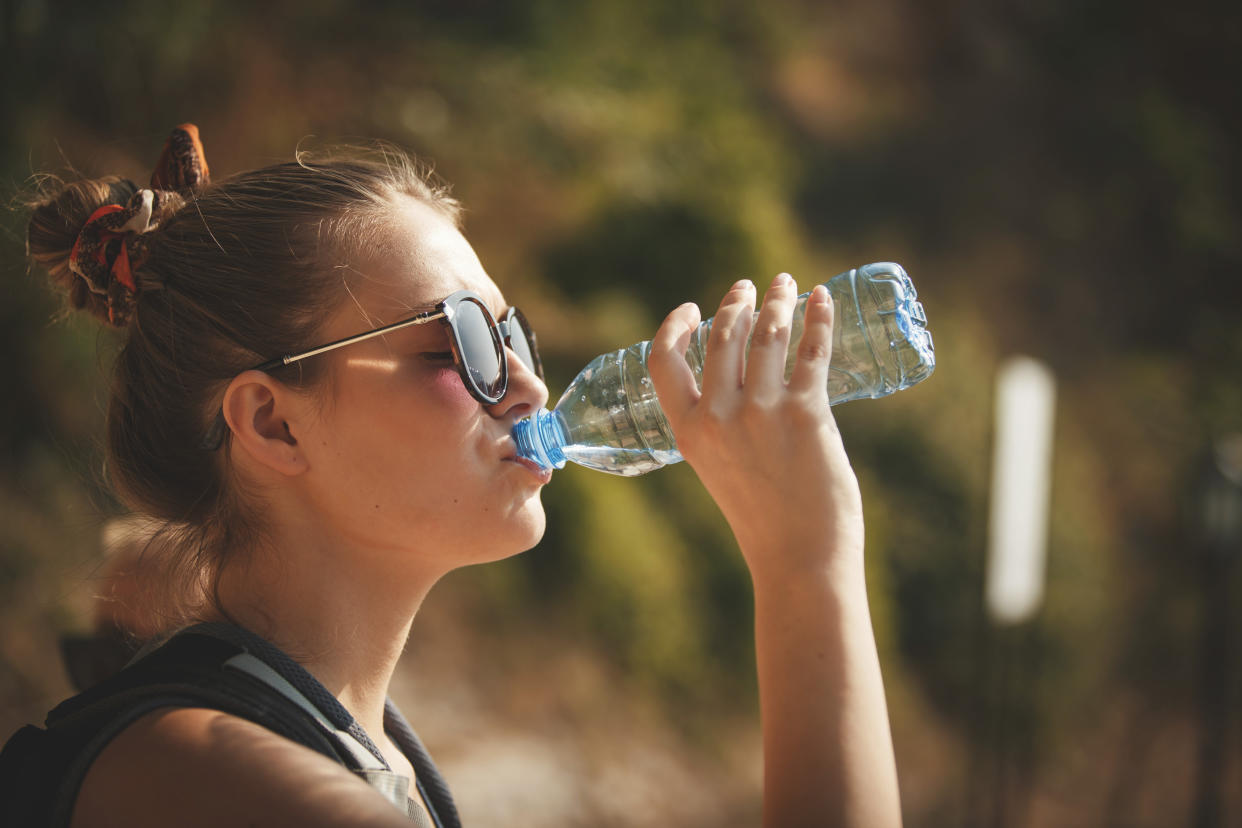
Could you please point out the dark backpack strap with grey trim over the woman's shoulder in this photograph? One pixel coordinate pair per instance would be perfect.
(209, 666)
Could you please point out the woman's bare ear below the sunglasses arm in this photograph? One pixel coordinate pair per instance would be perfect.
(264, 416)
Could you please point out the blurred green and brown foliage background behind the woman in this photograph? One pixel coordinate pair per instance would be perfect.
(1060, 179)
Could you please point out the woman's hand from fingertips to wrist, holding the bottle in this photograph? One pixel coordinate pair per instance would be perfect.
(769, 452)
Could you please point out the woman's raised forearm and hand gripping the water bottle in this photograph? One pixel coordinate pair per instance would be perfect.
(771, 455)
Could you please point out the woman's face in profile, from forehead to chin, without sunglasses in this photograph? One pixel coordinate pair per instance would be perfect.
(404, 459)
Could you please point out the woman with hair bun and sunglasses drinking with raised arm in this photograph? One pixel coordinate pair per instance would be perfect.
(317, 500)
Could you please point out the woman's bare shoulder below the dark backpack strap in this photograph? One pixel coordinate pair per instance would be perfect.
(196, 767)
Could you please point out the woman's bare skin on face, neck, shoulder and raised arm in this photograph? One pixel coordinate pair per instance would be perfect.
(392, 475)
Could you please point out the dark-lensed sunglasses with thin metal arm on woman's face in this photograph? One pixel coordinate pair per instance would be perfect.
(478, 342)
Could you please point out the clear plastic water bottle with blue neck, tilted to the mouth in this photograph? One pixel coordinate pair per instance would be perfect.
(610, 418)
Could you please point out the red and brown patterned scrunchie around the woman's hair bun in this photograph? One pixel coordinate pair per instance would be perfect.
(111, 246)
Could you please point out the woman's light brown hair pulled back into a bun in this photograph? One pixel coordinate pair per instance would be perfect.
(233, 275)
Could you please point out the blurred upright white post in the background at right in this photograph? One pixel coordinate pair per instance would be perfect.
(1022, 486)
